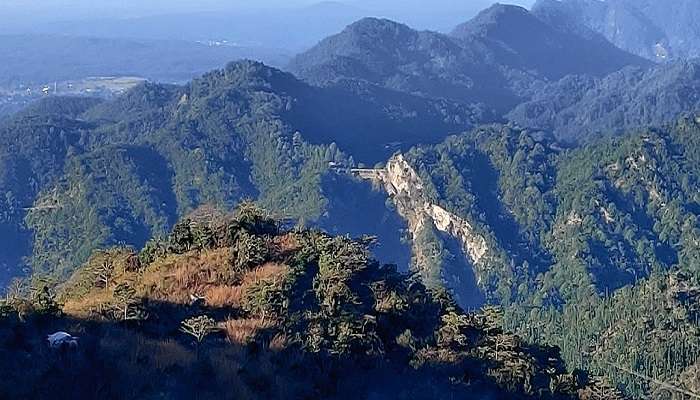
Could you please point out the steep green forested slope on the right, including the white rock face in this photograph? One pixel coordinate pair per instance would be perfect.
(594, 249)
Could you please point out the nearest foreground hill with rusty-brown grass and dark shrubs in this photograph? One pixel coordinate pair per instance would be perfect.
(235, 307)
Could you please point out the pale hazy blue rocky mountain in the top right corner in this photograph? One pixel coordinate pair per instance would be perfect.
(648, 28)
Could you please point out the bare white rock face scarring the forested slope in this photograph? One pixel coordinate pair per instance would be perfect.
(407, 190)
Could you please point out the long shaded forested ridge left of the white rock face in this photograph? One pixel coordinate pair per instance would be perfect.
(80, 174)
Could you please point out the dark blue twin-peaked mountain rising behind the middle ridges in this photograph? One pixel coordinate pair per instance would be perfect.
(493, 59)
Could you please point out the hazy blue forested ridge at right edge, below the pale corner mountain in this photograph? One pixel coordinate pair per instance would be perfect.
(579, 107)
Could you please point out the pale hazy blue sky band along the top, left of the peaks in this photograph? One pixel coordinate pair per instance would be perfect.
(289, 25)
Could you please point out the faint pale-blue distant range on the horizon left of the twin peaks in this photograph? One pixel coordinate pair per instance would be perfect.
(289, 28)
